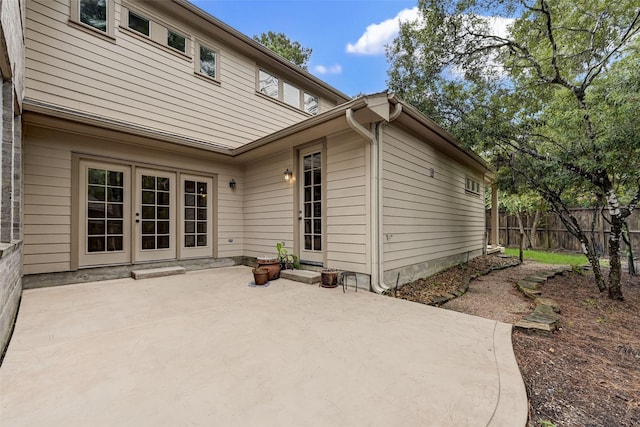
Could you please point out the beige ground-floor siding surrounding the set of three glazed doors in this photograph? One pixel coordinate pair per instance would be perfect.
(48, 219)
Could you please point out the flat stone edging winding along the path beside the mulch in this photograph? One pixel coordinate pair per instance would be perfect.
(545, 316)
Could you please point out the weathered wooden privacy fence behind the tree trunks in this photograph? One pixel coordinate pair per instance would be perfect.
(552, 235)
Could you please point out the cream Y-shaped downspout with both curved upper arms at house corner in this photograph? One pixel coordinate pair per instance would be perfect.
(376, 208)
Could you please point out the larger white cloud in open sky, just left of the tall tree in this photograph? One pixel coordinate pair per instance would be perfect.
(377, 36)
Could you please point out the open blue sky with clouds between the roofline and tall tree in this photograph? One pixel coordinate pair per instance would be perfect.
(347, 36)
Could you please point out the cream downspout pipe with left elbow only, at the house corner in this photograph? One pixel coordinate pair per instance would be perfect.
(376, 279)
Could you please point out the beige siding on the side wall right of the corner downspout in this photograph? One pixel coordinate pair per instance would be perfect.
(425, 218)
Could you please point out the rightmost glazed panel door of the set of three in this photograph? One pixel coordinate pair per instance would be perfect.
(196, 216)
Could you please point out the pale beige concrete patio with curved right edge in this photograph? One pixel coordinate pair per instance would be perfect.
(205, 348)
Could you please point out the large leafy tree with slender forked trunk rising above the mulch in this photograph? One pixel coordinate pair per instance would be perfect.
(546, 89)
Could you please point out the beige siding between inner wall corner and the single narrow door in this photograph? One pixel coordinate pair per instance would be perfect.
(268, 205)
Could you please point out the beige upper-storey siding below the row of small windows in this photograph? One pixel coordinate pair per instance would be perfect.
(137, 81)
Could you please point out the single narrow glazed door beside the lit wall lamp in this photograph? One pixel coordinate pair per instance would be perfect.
(311, 202)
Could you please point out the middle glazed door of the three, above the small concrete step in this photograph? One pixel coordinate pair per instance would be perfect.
(155, 215)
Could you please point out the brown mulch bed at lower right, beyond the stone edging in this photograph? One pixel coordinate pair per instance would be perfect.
(588, 372)
